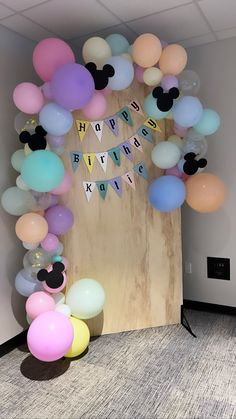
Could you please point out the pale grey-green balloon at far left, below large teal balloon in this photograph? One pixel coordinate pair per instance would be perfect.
(16, 201)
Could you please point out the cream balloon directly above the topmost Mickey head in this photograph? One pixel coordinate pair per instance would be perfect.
(96, 50)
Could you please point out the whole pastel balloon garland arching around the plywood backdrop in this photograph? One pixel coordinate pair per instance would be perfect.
(56, 322)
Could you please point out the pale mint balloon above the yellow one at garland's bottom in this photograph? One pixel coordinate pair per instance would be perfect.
(86, 298)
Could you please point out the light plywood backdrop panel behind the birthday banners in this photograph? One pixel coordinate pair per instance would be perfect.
(131, 249)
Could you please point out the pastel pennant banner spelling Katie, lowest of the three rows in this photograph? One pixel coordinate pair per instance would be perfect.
(115, 183)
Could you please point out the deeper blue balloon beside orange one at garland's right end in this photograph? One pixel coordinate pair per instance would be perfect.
(167, 193)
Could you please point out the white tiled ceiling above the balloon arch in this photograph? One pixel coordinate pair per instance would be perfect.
(189, 22)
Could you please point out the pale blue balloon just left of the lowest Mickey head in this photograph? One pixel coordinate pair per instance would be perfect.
(26, 284)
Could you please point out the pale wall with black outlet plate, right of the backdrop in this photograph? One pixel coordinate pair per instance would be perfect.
(214, 234)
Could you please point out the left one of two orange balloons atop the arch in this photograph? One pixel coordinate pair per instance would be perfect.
(146, 50)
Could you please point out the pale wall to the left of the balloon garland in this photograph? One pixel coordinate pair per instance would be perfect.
(15, 67)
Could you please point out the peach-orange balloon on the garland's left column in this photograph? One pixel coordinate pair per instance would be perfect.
(31, 228)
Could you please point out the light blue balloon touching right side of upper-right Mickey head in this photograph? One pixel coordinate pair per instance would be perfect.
(187, 111)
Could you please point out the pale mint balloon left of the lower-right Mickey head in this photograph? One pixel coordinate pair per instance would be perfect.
(165, 154)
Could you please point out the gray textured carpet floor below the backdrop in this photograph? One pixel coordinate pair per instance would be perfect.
(155, 373)
